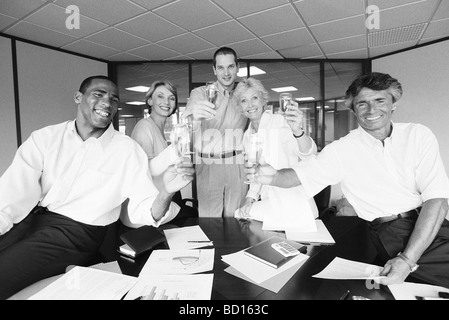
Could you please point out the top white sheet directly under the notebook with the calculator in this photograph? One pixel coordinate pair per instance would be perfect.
(258, 271)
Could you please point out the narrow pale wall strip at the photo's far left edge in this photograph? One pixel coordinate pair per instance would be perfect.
(8, 140)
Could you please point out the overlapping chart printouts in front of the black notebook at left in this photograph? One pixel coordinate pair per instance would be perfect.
(174, 274)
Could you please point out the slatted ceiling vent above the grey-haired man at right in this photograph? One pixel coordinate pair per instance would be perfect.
(397, 35)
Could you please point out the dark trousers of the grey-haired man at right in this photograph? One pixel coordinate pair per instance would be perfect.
(390, 238)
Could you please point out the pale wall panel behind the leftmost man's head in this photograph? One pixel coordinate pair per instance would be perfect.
(48, 80)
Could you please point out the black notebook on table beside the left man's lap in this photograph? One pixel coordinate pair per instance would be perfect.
(139, 240)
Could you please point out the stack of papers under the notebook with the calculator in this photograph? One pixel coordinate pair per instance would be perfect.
(246, 267)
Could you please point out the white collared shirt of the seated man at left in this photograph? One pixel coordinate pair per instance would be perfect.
(86, 181)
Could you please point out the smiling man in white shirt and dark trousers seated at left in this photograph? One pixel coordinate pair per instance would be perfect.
(76, 175)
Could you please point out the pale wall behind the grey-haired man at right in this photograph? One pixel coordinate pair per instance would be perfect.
(424, 75)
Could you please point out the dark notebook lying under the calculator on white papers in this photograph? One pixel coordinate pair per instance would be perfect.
(264, 251)
